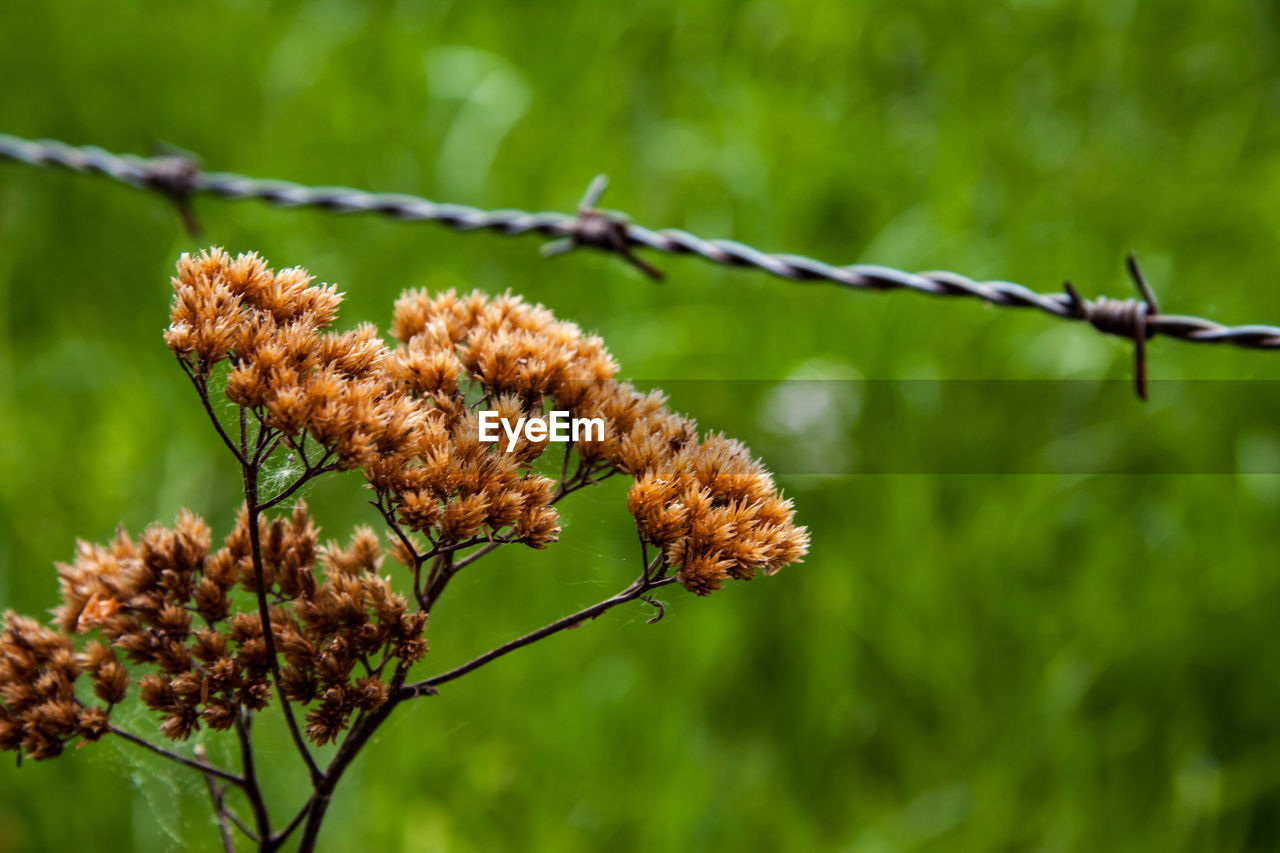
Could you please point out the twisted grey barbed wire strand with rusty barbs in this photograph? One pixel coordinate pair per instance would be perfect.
(180, 177)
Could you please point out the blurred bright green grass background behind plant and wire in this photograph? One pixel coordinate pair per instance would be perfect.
(1076, 653)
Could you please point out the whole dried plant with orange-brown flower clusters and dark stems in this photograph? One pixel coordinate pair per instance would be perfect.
(211, 637)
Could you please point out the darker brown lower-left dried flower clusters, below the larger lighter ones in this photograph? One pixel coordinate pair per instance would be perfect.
(166, 601)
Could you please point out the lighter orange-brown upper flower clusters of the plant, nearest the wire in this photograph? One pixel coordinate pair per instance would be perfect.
(409, 418)
